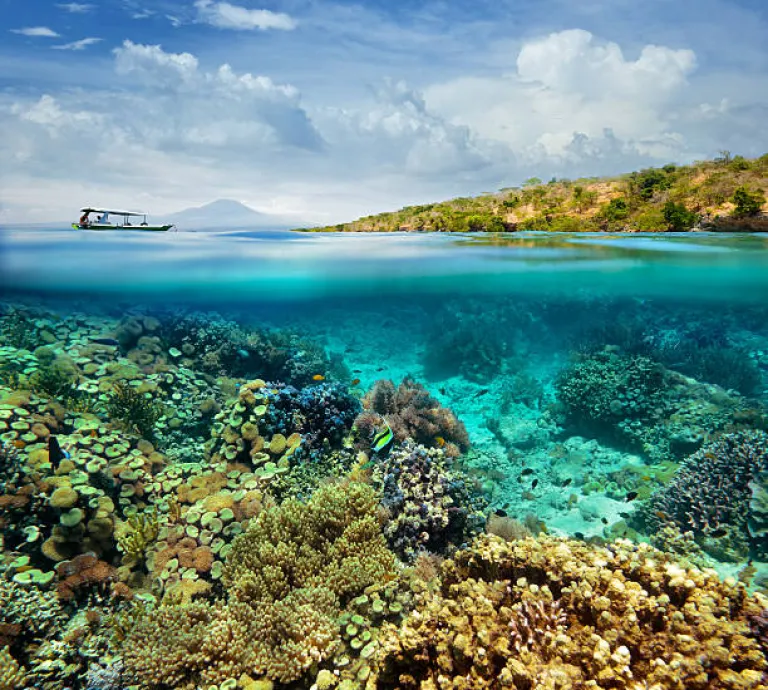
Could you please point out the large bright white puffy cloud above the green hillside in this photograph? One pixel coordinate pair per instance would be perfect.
(569, 84)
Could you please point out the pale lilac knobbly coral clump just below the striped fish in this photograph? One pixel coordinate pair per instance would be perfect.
(430, 506)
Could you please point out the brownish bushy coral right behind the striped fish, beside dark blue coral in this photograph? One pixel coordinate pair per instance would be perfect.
(414, 414)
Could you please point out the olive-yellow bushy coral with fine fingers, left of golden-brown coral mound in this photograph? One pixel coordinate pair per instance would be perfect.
(287, 578)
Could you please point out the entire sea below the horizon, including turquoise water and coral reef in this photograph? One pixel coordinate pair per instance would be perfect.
(266, 461)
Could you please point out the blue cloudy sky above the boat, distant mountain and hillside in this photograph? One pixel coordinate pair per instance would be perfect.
(327, 111)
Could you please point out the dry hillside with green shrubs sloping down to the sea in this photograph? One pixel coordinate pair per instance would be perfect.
(728, 193)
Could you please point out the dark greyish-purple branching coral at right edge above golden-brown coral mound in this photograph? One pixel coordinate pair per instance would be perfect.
(710, 494)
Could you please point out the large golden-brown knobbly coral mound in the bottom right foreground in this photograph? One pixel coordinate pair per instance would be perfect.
(554, 613)
